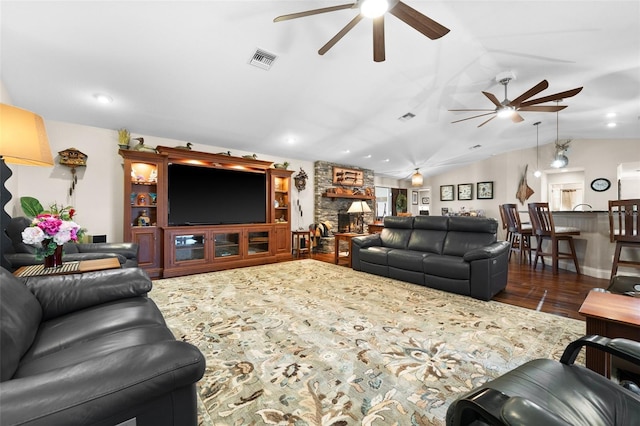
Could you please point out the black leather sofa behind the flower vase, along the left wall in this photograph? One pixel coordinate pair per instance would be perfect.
(21, 254)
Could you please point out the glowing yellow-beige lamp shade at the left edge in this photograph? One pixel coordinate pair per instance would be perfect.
(23, 138)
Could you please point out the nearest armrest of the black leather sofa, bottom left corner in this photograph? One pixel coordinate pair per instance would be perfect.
(101, 387)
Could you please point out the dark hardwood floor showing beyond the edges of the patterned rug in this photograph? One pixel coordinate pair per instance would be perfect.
(538, 289)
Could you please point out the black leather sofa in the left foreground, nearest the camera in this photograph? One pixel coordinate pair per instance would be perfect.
(92, 349)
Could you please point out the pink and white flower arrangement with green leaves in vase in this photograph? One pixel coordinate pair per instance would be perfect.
(50, 228)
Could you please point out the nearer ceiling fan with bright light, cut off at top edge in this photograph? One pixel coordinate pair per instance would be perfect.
(376, 10)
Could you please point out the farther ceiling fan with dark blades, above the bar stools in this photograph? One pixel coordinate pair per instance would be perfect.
(508, 108)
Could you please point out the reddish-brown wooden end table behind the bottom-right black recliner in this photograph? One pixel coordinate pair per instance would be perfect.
(610, 315)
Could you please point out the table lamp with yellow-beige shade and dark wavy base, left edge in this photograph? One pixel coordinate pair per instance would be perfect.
(23, 140)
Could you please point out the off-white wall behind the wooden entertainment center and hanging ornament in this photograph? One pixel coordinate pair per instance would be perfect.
(98, 197)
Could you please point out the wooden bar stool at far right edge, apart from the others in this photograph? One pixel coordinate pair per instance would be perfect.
(624, 230)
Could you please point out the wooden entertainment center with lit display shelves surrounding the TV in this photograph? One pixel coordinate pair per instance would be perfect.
(169, 251)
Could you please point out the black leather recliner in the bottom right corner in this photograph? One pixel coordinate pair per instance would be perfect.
(547, 392)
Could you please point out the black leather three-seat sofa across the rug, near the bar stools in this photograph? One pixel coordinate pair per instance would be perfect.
(457, 254)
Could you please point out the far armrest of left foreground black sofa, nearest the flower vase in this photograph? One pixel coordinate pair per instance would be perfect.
(61, 294)
